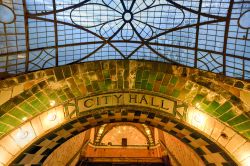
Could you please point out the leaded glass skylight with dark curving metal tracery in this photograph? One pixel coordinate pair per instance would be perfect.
(211, 35)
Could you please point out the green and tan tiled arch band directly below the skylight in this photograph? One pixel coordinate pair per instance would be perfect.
(65, 83)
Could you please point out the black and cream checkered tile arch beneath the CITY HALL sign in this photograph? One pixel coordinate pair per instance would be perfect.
(206, 149)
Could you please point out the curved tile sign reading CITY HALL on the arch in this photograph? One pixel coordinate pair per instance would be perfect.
(126, 99)
